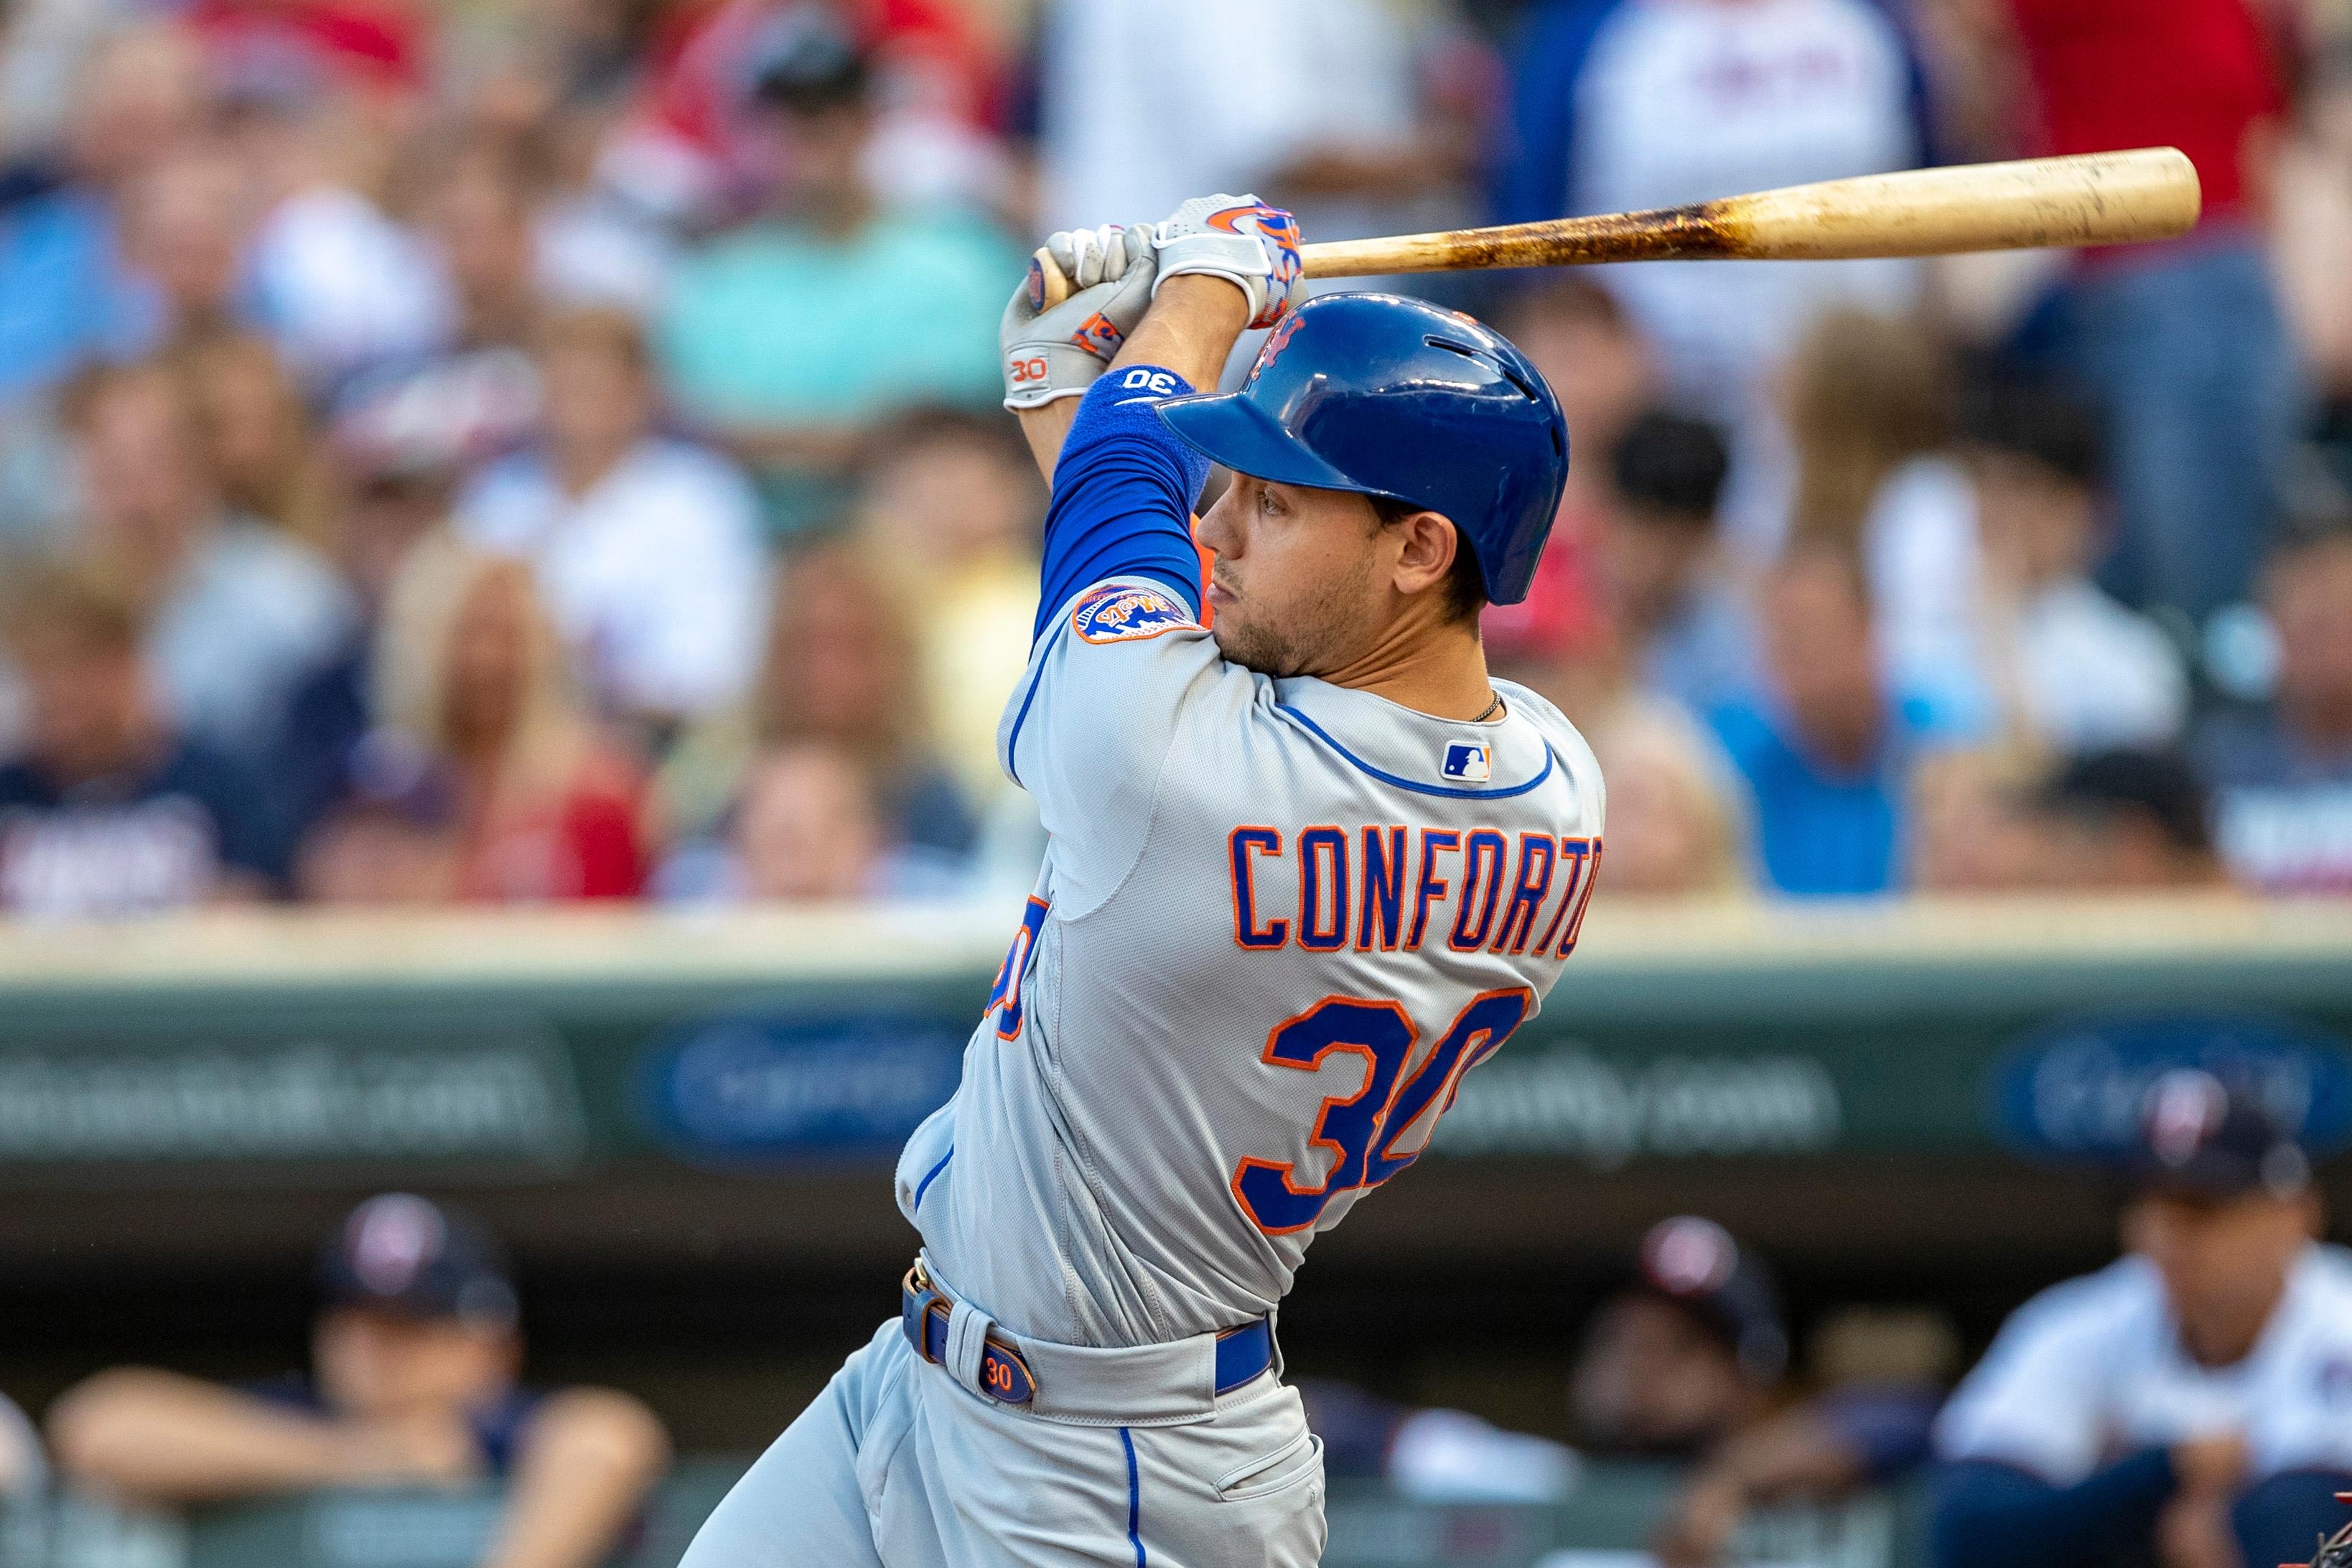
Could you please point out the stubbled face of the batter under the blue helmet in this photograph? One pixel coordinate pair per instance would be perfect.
(1302, 577)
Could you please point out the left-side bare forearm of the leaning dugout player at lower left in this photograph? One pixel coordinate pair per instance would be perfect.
(161, 1438)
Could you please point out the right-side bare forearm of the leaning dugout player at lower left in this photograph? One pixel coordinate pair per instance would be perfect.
(589, 1461)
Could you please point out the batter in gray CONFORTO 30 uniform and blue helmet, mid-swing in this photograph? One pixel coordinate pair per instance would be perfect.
(1307, 869)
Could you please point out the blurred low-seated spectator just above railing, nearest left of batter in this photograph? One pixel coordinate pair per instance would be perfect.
(810, 824)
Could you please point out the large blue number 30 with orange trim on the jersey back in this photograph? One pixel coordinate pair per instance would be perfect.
(1365, 1130)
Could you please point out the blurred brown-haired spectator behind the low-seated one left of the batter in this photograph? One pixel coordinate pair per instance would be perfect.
(841, 669)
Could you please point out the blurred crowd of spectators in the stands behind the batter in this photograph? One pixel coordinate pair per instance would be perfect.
(542, 450)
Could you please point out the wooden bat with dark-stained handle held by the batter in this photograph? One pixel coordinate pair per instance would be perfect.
(2090, 199)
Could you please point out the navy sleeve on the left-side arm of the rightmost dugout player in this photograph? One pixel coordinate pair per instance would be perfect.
(1993, 1515)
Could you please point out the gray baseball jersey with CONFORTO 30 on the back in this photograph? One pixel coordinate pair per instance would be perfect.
(1276, 925)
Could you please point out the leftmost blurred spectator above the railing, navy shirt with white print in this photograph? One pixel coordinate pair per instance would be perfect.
(109, 810)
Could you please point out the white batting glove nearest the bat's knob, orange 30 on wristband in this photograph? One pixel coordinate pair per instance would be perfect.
(1062, 351)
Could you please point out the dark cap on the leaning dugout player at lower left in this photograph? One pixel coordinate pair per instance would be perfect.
(413, 1257)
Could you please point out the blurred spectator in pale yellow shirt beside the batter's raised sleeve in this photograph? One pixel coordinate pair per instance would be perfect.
(949, 504)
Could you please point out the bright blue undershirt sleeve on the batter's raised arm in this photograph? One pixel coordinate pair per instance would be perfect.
(1123, 495)
